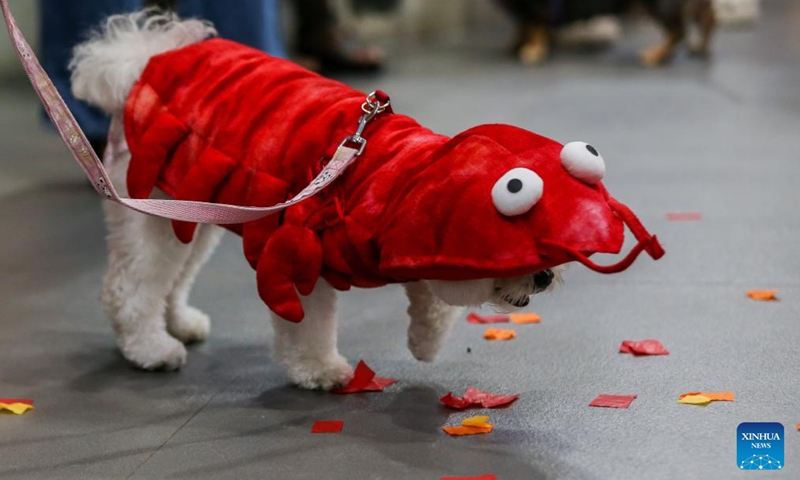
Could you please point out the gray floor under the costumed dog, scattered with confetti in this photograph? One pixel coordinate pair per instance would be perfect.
(720, 138)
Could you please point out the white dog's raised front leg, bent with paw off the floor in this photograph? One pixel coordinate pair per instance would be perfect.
(431, 321)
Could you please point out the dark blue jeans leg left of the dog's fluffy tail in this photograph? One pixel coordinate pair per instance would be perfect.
(64, 24)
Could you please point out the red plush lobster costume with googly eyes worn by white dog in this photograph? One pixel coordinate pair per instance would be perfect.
(220, 122)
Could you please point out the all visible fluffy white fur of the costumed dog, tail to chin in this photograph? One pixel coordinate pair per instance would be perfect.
(150, 273)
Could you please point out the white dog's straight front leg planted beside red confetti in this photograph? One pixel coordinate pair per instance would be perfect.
(307, 350)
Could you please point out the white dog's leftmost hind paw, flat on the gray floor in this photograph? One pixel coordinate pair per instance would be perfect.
(157, 351)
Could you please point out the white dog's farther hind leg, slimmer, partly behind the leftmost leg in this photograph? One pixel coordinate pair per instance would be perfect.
(185, 322)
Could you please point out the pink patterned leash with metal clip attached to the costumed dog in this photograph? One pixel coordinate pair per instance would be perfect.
(189, 211)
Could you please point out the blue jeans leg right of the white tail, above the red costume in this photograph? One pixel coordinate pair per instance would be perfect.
(252, 22)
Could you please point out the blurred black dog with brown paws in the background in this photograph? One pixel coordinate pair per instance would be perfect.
(536, 18)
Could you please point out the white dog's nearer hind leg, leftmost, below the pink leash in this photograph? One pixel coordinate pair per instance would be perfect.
(145, 260)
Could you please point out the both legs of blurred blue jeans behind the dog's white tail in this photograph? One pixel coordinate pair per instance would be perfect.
(65, 23)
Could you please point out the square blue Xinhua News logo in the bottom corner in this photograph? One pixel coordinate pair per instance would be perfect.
(759, 446)
